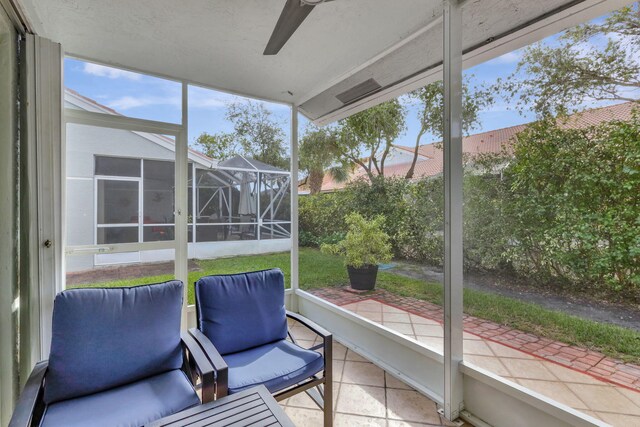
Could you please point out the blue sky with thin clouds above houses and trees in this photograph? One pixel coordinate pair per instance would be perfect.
(142, 96)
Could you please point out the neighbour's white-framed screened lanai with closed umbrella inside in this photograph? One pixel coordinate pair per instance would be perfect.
(239, 199)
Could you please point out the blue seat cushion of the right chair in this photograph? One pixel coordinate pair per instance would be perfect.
(277, 365)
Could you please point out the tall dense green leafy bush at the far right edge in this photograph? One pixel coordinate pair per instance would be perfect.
(575, 205)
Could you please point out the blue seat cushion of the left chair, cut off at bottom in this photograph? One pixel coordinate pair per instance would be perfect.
(130, 405)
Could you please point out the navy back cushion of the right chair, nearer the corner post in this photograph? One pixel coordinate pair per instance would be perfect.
(241, 311)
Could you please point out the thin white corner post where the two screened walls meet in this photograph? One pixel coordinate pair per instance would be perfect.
(294, 207)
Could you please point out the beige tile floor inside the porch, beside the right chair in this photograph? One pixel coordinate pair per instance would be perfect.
(364, 395)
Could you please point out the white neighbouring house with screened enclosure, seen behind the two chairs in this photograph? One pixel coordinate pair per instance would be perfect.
(120, 189)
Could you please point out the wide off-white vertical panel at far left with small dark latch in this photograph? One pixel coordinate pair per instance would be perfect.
(43, 185)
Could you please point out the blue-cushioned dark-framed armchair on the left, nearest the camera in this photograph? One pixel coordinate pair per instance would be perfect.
(117, 358)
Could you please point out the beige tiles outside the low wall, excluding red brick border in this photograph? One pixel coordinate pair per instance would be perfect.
(613, 404)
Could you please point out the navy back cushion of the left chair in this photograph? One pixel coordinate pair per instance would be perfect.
(104, 338)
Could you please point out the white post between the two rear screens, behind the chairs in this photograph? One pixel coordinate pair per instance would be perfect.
(181, 203)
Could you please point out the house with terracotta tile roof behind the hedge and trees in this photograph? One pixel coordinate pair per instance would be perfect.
(430, 157)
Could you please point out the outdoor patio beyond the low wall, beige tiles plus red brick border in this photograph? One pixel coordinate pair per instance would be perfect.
(495, 348)
